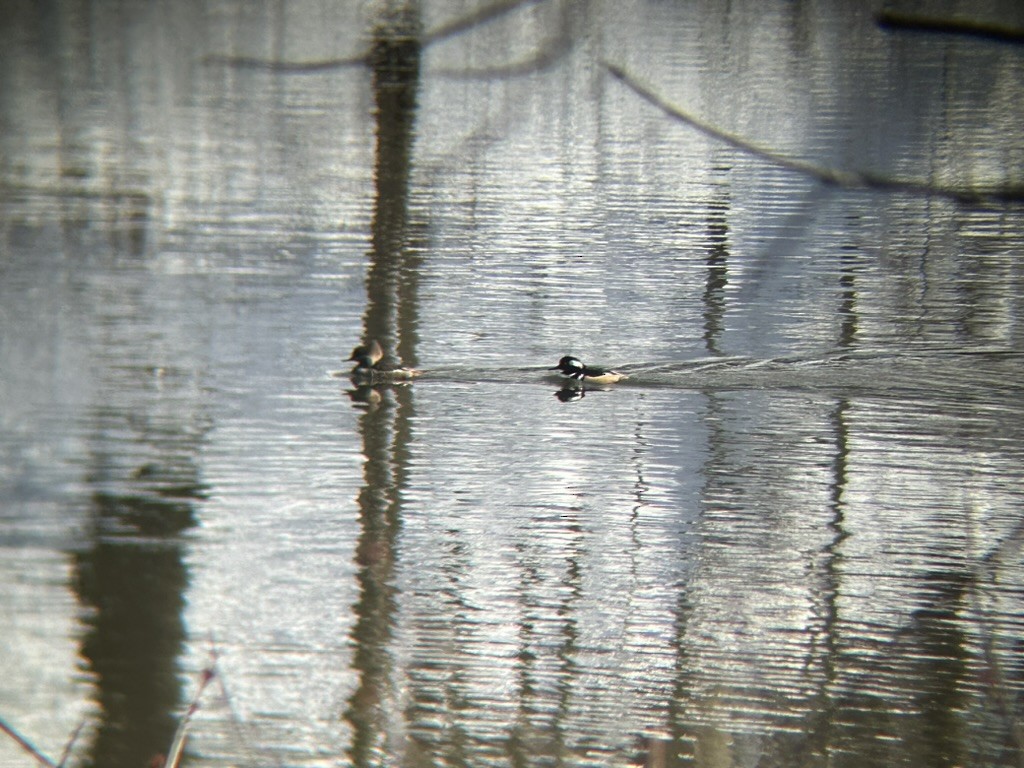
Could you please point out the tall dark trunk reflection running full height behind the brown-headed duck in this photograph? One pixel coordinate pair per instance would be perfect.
(385, 428)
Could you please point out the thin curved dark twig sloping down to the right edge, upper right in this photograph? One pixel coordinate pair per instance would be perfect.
(828, 177)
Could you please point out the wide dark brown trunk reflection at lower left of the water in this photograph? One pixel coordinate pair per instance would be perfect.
(133, 577)
